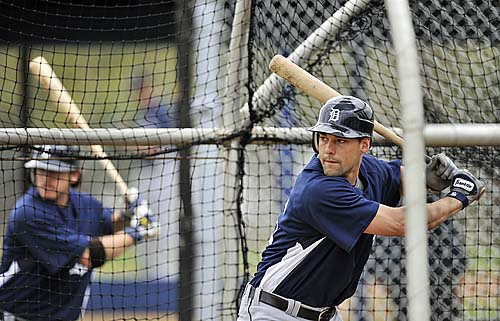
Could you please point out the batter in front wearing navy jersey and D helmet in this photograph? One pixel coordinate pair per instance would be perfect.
(342, 198)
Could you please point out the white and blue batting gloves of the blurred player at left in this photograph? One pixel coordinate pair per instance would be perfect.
(142, 223)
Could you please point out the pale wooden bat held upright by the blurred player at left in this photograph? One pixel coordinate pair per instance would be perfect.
(65, 105)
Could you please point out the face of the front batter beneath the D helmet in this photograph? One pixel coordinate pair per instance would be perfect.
(341, 156)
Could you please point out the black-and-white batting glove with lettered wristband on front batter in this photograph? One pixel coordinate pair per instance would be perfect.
(466, 188)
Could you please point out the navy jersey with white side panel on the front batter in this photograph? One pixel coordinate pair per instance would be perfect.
(318, 249)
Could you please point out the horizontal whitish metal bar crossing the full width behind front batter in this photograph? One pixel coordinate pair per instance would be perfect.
(437, 135)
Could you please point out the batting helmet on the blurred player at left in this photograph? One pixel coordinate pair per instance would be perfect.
(55, 158)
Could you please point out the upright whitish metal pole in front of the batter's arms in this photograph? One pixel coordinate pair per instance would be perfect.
(417, 267)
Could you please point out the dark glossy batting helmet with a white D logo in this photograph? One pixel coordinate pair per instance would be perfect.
(344, 116)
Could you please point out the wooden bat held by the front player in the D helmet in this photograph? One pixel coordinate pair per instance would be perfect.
(314, 87)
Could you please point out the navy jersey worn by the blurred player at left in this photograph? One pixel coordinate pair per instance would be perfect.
(40, 277)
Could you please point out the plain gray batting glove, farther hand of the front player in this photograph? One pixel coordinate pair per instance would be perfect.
(439, 172)
